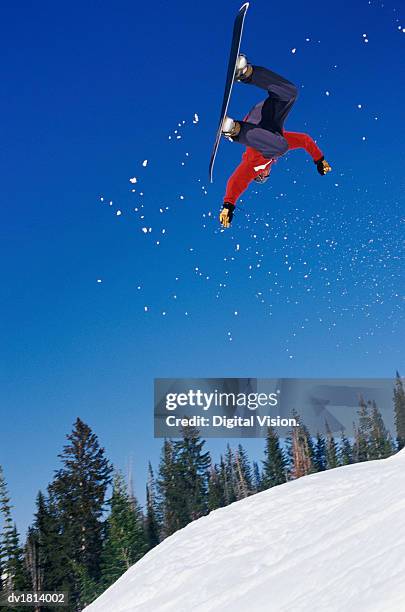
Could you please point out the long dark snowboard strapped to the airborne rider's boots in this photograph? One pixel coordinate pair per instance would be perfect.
(230, 77)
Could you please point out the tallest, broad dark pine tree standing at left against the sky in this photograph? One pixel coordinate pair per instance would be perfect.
(79, 495)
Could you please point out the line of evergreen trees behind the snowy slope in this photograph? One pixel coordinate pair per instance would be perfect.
(89, 528)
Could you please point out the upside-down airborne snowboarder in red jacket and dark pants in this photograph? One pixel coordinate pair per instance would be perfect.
(263, 134)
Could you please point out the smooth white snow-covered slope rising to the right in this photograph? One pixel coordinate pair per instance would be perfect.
(330, 542)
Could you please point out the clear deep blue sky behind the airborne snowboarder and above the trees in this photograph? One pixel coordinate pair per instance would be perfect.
(313, 266)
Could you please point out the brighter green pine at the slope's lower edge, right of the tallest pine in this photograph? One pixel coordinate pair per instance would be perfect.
(125, 541)
